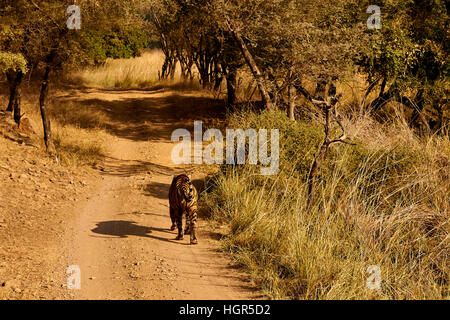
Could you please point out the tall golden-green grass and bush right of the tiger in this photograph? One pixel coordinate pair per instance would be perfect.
(383, 204)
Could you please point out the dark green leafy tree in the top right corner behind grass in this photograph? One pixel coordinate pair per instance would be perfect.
(414, 71)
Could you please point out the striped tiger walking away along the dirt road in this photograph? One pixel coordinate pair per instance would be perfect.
(183, 198)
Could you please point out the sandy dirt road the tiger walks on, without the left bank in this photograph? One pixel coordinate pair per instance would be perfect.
(120, 235)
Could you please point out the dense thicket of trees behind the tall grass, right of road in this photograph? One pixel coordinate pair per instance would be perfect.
(288, 44)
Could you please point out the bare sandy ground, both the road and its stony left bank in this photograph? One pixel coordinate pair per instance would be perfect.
(117, 228)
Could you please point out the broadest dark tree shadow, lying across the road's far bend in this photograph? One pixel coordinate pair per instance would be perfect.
(147, 118)
